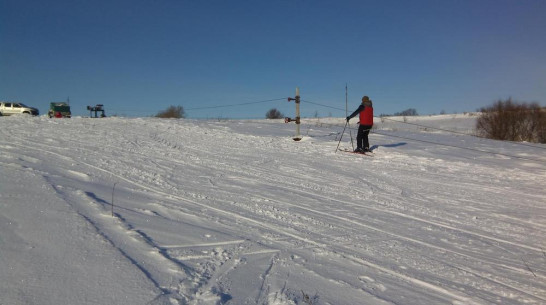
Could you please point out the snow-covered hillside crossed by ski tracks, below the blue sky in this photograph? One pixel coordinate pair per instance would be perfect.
(159, 211)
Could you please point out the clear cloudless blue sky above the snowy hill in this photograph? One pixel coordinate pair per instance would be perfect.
(137, 57)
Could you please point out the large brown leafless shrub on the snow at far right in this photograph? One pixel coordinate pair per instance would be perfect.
(511, 121)
